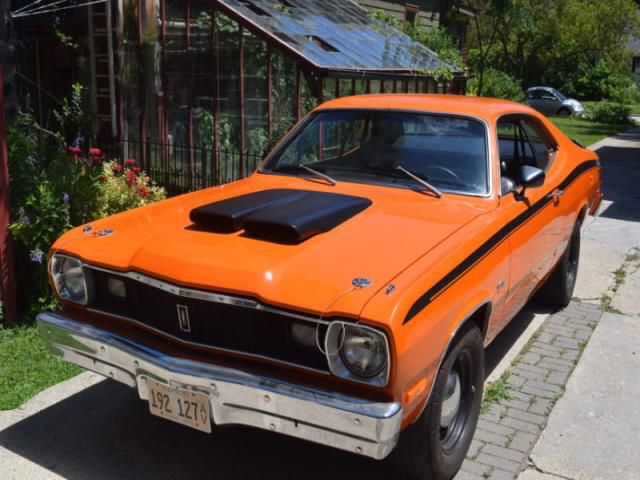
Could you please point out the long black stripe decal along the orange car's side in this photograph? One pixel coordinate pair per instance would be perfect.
(493, 242)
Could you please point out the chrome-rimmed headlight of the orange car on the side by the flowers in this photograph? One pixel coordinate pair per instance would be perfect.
(82, 291)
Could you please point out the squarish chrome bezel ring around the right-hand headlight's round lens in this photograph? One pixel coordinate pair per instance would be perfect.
(334, 342)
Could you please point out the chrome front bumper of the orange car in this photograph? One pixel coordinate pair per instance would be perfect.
(236, 397)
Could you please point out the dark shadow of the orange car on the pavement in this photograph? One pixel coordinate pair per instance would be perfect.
(105, 432)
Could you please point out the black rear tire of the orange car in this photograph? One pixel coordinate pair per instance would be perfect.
(558, 289)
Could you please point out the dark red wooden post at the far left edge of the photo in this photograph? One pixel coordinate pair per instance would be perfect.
(7, 276)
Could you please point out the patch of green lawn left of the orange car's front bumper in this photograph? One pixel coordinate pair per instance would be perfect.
(27, 367)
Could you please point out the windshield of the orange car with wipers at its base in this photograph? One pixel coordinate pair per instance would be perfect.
(368, 146)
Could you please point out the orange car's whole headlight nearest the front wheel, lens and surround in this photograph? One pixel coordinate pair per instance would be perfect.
(358, 352)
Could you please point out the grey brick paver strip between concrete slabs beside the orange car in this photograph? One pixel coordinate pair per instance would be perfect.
(509, 429)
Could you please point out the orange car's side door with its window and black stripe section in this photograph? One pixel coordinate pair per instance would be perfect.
(533, 224)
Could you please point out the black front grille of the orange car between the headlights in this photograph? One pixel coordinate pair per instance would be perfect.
(212, 324)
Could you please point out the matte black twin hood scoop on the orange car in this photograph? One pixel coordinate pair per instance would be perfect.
(279, 215)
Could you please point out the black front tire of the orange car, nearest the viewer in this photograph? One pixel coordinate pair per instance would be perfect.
(427, 450)
